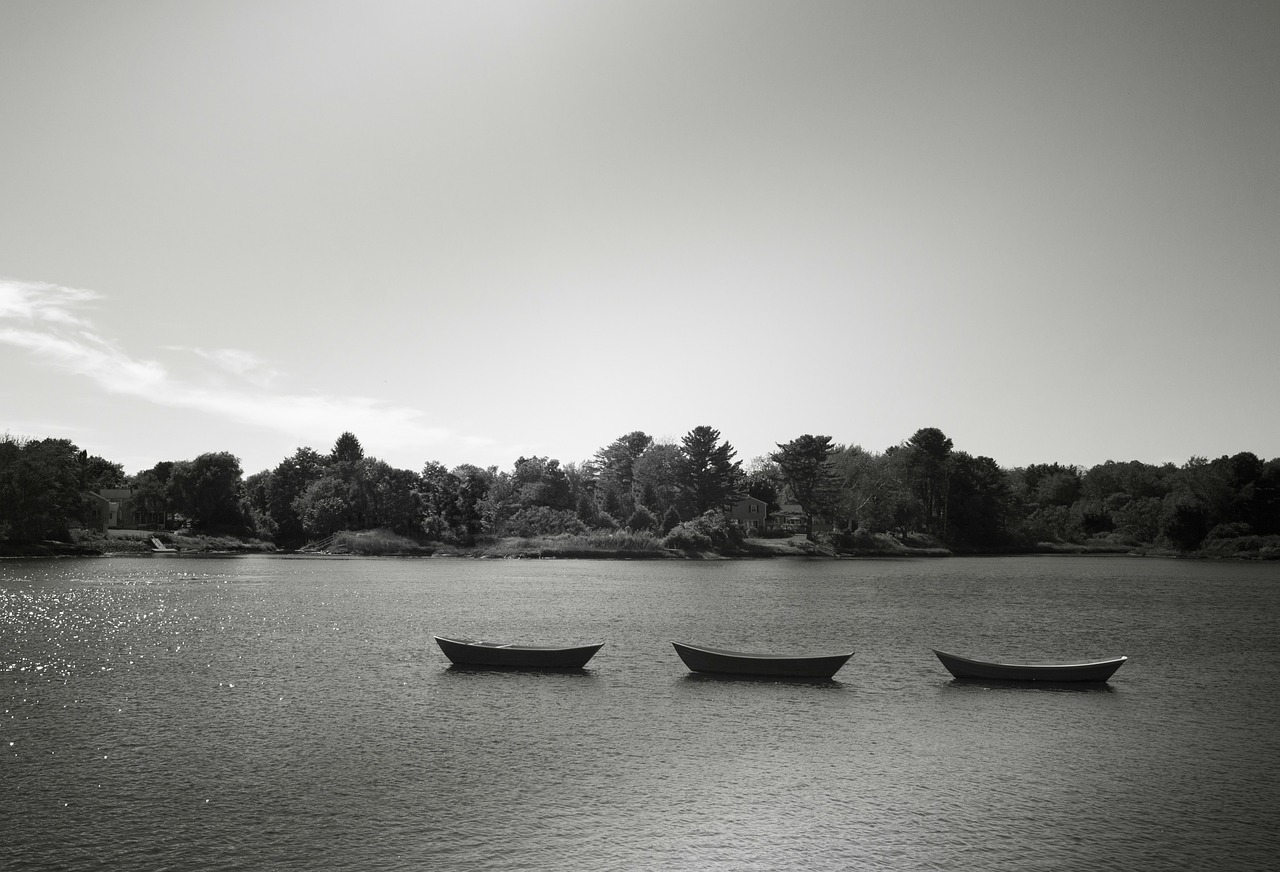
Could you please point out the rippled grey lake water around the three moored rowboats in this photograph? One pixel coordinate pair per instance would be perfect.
(180, 713)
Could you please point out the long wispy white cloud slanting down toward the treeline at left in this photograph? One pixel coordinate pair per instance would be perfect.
(45, 321)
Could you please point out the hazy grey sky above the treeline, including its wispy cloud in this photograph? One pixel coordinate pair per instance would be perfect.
(476, 231)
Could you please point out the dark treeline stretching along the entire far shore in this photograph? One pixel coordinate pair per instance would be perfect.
(674, 491)
